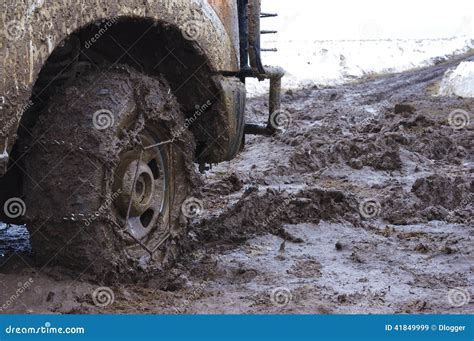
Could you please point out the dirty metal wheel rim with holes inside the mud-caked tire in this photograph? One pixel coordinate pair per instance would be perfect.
(141, 184)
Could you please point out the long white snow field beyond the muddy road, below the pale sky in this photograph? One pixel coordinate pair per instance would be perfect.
(335, 62)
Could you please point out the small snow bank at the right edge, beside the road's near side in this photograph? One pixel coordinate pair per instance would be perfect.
(459, 82)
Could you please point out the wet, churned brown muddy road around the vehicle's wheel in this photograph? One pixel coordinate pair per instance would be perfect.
(363, 205)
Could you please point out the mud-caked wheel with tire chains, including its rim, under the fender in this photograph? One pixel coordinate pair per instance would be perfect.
(101, 196)
